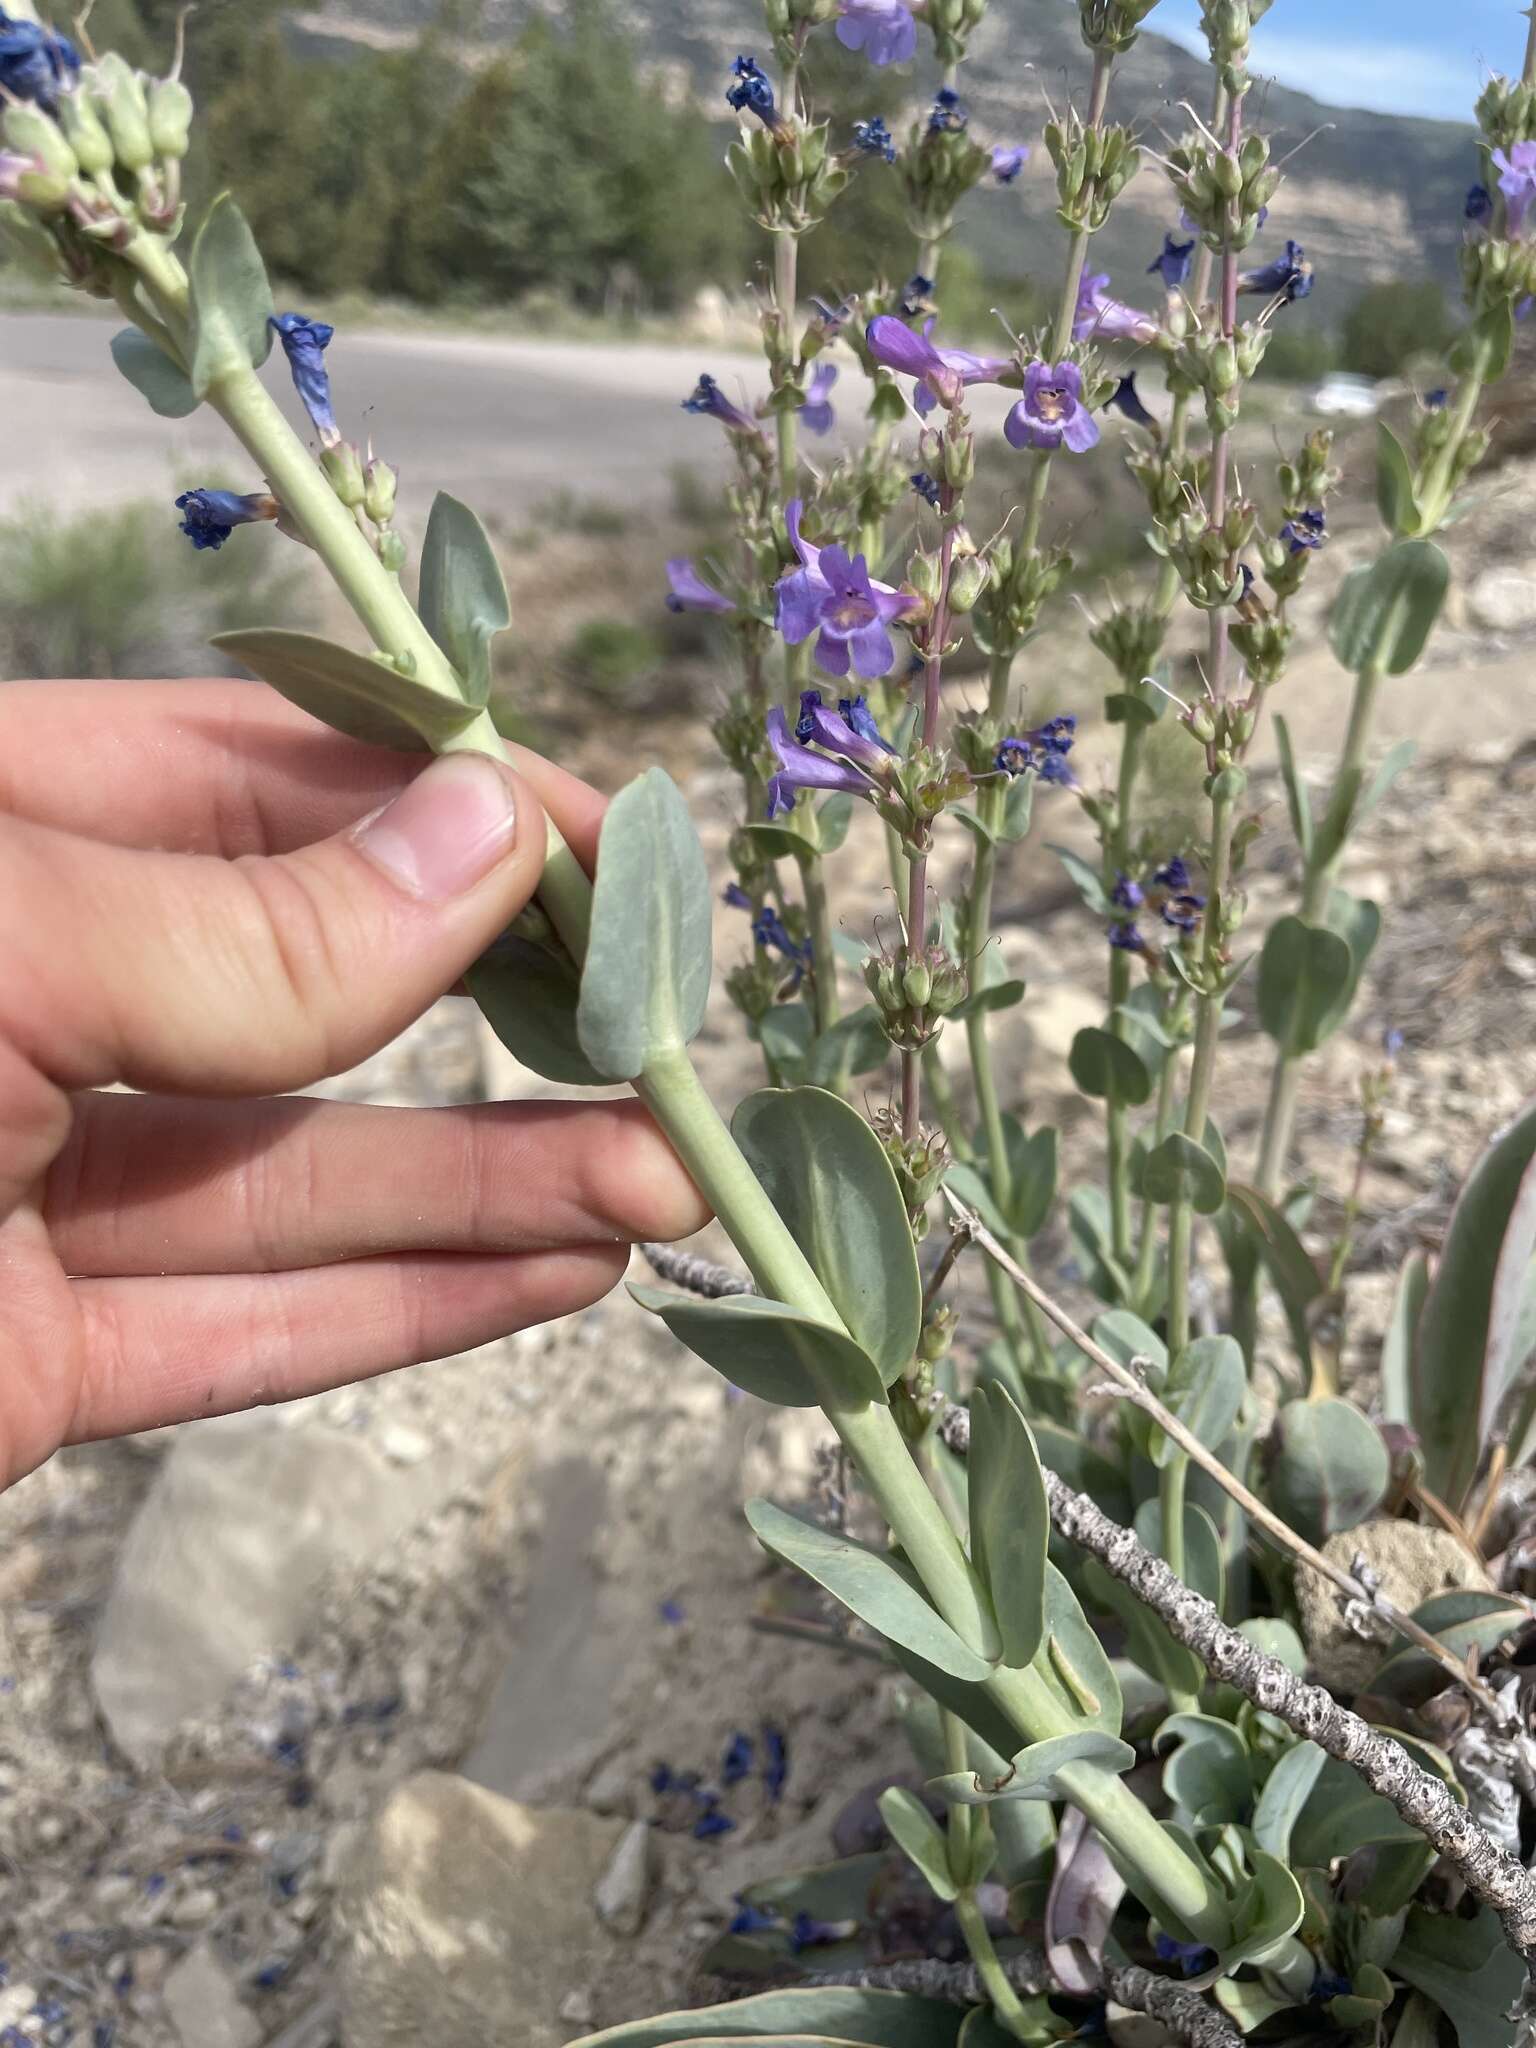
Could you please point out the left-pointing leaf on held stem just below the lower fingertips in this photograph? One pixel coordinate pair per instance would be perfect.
(769, 1349)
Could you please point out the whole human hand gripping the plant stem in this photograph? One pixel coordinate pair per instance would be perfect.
(191, 906)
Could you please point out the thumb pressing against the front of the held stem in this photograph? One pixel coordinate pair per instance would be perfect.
(243, 978)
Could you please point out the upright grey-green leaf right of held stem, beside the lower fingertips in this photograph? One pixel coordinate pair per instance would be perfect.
(830, 1181)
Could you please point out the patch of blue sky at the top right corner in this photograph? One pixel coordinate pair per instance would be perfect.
(1400, 56)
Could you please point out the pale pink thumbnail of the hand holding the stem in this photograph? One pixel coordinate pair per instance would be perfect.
(445, 833)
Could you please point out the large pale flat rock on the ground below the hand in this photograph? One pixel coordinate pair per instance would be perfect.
(222, 1560)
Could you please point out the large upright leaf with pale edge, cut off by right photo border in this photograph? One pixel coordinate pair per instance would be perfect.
(1463, 1361)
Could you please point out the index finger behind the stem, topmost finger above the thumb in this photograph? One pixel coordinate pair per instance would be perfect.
(216, 767)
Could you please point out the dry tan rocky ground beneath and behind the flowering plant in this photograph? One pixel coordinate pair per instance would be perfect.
(337, 1723)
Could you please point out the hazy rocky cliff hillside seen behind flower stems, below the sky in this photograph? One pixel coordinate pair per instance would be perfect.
(1369, 196)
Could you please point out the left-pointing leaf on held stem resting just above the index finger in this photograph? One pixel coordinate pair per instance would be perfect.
(353, 693)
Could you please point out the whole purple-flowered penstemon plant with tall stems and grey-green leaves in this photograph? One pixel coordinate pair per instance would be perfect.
(1297, 1873)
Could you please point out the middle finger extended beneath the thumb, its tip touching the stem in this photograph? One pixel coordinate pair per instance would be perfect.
(155, 1185)
